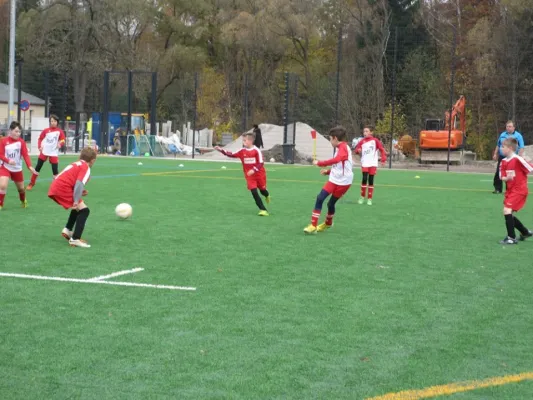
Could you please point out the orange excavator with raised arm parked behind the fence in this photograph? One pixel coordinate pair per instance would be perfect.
(433, 141)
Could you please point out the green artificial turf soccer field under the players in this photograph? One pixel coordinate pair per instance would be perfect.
(411, 293)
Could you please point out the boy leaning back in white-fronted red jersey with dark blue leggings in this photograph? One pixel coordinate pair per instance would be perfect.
(340, 180)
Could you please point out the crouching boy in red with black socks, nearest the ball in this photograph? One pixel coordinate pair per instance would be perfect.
(67, 191)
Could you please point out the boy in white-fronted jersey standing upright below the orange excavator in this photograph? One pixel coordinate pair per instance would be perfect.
(369, 147)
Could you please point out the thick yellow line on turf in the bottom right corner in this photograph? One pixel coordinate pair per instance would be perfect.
(452, 388)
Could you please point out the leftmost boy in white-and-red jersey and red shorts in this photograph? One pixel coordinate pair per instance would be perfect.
(12, 150)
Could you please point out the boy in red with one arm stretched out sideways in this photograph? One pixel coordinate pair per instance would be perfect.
(254, 170)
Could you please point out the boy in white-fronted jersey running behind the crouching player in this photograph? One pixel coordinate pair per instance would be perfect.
(49, 143)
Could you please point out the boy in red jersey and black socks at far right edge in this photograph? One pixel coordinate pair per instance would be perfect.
(513, 171)
